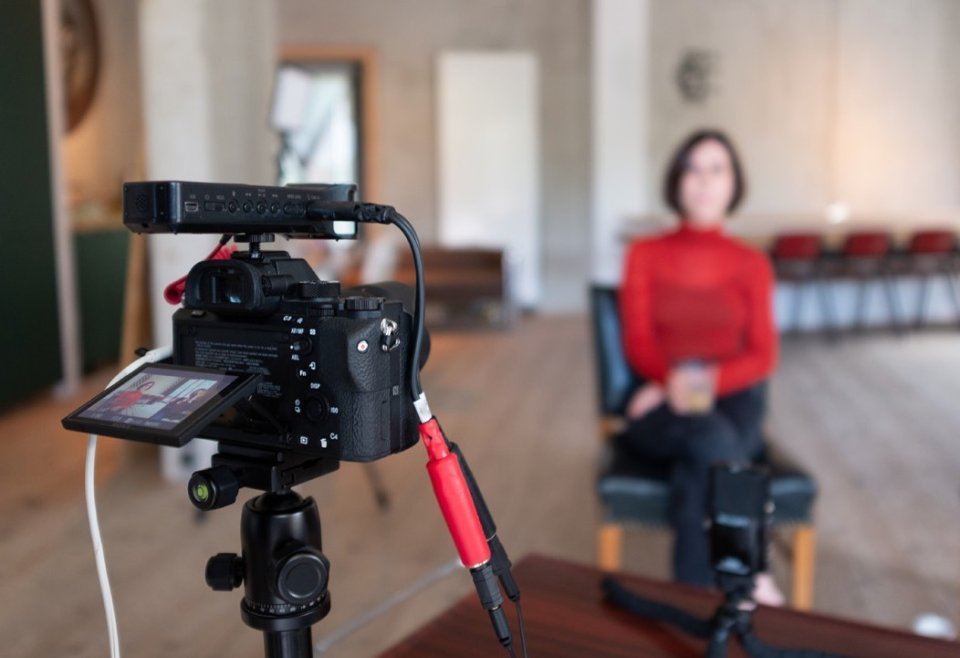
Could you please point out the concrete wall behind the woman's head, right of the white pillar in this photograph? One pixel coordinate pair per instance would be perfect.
(829, 100)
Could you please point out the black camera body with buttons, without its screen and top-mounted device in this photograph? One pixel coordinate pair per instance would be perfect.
(332, 364)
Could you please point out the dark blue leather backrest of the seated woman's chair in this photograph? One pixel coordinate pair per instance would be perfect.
(616, 381)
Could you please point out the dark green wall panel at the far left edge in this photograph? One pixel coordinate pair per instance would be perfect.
(29, 335)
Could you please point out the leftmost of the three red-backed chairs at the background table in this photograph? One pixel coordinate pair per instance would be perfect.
(797, 260)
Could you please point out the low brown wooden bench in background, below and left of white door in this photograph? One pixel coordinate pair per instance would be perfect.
(462, 285)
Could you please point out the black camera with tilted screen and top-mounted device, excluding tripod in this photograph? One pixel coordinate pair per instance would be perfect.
(276, 365)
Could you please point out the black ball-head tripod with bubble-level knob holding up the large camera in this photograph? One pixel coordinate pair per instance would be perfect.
(282, 568)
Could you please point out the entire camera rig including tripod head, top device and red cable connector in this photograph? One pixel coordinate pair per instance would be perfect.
(290, 375)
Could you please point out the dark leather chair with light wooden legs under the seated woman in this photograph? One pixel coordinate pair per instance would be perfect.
(636, 493)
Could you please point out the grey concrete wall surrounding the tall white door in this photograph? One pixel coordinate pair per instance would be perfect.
(408, 36)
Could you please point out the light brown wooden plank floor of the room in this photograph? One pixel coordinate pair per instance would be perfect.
(875, 418)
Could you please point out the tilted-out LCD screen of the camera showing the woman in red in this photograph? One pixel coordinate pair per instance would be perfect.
(161, 403)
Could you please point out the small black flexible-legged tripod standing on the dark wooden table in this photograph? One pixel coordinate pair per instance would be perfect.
(733, 618)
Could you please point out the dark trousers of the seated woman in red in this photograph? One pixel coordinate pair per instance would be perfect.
(691, 444)
